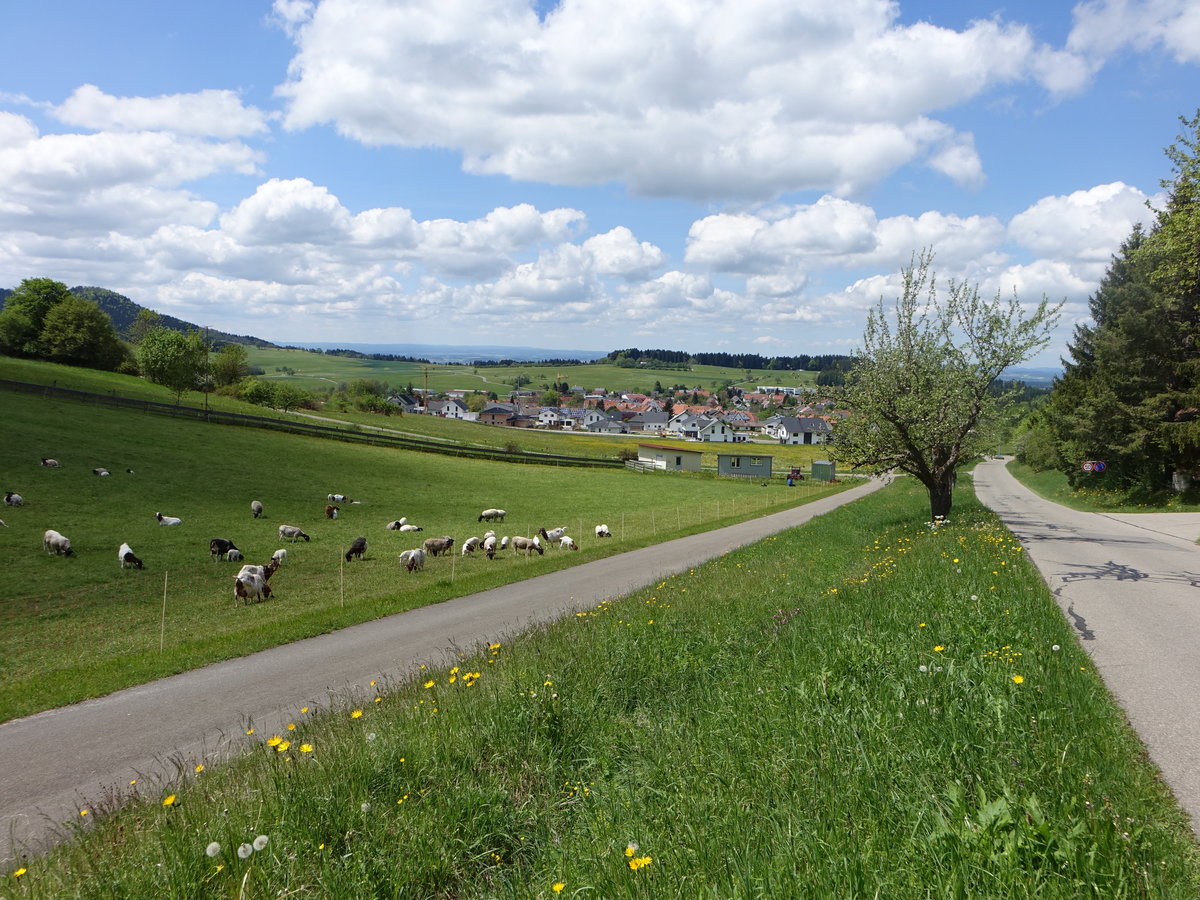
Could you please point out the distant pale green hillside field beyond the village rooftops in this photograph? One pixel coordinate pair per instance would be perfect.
(315, 370)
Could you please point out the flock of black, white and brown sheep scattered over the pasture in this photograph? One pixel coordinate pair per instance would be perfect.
(253, 581)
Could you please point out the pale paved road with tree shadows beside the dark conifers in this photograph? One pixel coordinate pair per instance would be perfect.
(1130, 585)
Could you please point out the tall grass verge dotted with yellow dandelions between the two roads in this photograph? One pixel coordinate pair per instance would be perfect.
(860, 707)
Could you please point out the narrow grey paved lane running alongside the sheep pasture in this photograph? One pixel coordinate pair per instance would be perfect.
(57, 763)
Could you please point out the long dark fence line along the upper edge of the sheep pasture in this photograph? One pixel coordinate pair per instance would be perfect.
(356, 436)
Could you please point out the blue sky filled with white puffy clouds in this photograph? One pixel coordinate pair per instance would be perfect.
(591, 175)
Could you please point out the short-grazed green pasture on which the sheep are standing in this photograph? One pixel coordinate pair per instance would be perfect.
(82, 627)
